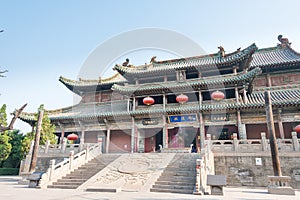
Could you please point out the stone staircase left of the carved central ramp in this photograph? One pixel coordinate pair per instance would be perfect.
(85, 172)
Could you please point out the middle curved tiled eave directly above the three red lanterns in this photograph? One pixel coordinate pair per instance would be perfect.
(154, 88)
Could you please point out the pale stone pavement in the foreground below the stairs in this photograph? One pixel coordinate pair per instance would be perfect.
(10, 190)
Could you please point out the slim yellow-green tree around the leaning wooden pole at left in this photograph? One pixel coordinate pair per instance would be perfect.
(47, 133)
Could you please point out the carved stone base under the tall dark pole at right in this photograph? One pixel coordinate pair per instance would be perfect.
(280, 185)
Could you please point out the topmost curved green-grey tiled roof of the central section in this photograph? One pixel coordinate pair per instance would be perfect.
(198, 62)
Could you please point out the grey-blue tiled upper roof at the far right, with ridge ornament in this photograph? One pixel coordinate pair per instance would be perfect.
(275, 57)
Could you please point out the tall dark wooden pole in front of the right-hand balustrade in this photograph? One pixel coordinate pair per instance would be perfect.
(272, 137)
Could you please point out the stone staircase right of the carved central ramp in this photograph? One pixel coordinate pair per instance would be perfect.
(179, 176)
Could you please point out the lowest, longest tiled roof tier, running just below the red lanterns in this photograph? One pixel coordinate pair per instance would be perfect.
(280, 98)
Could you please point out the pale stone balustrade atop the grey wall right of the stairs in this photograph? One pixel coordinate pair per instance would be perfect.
(254, 145)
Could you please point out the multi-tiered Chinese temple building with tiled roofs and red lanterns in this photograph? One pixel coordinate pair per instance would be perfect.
(176, 103)
